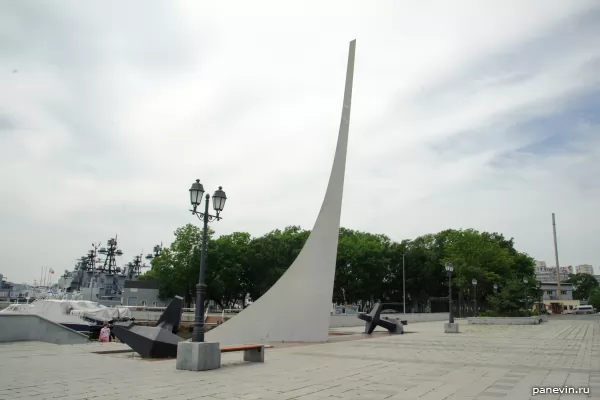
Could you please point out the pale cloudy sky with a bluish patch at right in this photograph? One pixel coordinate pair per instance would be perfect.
(465, 114)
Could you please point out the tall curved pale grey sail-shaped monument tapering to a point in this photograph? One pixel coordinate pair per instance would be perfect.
(297, 308)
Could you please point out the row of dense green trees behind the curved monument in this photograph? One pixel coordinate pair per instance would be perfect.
(369, 266)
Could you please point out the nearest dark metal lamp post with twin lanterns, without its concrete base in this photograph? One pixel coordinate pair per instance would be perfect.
(219, 198)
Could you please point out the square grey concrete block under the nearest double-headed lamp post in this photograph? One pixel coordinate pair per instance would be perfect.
(198, 356)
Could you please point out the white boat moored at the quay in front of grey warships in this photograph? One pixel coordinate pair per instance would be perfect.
(79, 315)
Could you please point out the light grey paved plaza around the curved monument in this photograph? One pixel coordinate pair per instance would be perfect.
(482, 362)
